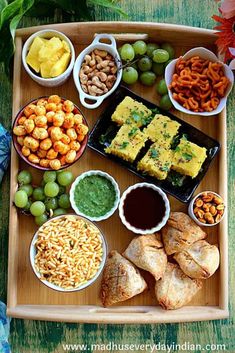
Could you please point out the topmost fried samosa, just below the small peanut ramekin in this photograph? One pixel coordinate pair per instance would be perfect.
(180, 232)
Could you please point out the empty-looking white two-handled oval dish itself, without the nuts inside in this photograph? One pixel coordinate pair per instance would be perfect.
(111, 49)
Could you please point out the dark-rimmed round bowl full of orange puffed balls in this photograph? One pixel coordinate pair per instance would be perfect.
(50, 133)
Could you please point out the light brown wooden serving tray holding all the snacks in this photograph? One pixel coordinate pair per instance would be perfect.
(27, 297)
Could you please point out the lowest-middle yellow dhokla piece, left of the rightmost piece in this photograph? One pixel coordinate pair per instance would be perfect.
(156, 162)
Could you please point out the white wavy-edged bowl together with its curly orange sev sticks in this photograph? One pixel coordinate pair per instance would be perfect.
(198, 83)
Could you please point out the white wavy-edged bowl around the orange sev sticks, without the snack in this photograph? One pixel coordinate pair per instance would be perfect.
(205, 54)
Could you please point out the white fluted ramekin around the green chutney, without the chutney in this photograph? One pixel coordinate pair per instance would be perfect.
(84, 175)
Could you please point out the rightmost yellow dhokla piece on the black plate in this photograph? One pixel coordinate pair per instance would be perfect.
(188, 158)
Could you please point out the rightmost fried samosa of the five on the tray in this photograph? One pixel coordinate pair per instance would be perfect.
(200, 260)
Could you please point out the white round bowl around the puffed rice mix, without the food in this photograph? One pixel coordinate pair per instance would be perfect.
(32, 254)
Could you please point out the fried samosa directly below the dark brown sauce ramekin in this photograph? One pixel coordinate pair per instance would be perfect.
(147, 252)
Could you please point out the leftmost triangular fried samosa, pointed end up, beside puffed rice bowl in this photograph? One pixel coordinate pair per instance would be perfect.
(121, 280)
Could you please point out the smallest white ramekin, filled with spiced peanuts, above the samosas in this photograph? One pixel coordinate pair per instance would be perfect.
(207, 209)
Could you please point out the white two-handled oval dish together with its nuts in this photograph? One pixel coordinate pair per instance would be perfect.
(97, 71)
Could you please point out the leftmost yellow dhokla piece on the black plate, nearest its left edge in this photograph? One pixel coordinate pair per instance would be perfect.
(127, 143)
